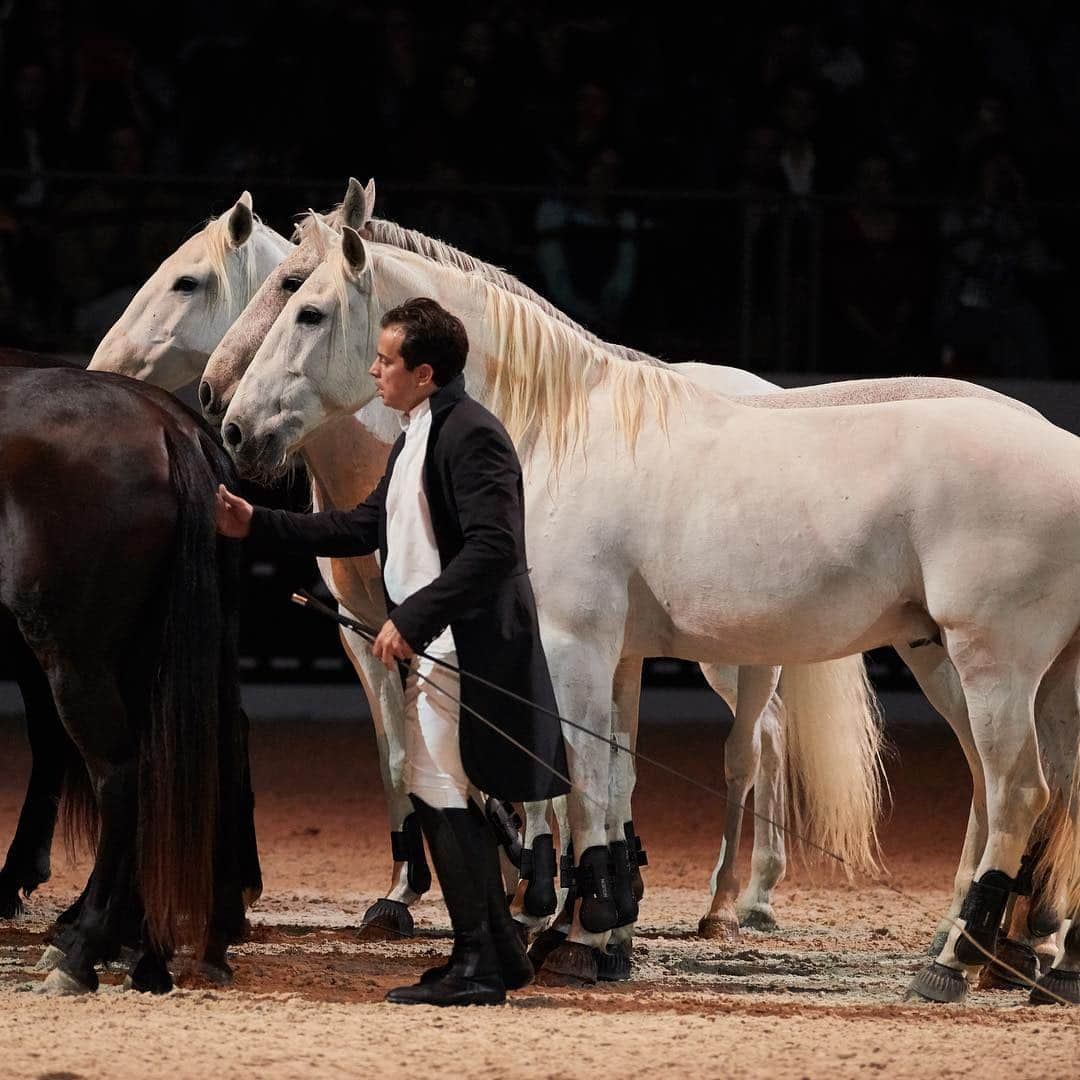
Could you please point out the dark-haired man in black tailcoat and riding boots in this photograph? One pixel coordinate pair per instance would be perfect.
(448, 520)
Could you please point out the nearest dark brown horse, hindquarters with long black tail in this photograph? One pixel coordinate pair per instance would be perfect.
(112, 569)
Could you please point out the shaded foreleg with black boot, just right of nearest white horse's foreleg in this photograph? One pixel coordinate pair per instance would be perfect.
(624, 842)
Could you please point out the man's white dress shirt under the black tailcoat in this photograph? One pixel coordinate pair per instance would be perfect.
(413, 558)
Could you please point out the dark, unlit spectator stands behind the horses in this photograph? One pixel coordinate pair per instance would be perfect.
(840, 188)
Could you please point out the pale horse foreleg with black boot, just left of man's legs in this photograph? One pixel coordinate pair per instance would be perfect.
(389, 919)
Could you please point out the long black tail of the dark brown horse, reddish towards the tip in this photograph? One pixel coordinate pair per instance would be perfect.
(181, 753)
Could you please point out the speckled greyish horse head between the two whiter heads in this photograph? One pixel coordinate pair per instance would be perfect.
(236, 352)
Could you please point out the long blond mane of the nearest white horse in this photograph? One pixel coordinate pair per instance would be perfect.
(543, 372)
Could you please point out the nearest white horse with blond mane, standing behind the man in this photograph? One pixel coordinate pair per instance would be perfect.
(826, 533)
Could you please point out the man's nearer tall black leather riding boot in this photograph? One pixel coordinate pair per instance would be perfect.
(472, 977)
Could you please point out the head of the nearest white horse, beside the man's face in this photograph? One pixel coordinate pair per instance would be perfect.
(314, 364)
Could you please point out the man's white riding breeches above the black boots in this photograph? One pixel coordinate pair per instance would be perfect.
(434, 769)
